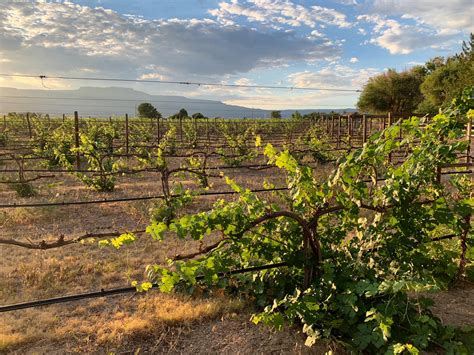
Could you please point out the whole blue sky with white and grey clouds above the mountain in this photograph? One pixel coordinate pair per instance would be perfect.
(328, 44)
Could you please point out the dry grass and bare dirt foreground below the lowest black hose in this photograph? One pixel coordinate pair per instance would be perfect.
(150, 323)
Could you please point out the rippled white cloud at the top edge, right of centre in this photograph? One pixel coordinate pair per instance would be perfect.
(283, 12)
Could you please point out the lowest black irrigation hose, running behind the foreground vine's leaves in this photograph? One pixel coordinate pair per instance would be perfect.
(121, 290)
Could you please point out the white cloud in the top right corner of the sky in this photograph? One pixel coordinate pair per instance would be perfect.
(448, 16)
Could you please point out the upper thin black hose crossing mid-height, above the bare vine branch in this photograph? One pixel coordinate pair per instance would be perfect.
(125, 199)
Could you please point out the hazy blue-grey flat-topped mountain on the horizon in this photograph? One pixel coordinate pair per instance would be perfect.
(94, 101)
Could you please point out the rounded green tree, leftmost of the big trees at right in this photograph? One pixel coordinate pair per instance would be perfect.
(393, 91)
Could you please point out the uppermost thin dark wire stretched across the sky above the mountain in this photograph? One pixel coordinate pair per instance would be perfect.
(42, 77)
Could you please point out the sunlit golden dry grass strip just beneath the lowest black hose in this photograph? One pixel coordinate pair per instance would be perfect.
(103, 323)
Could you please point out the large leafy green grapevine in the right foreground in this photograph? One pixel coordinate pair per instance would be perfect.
(352, 245)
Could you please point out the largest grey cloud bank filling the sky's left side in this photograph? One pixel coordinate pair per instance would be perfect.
(62, 38)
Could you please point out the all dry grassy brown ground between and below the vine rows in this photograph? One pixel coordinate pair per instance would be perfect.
(150, 323)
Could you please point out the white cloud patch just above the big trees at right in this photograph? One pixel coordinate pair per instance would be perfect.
(400, 38)
